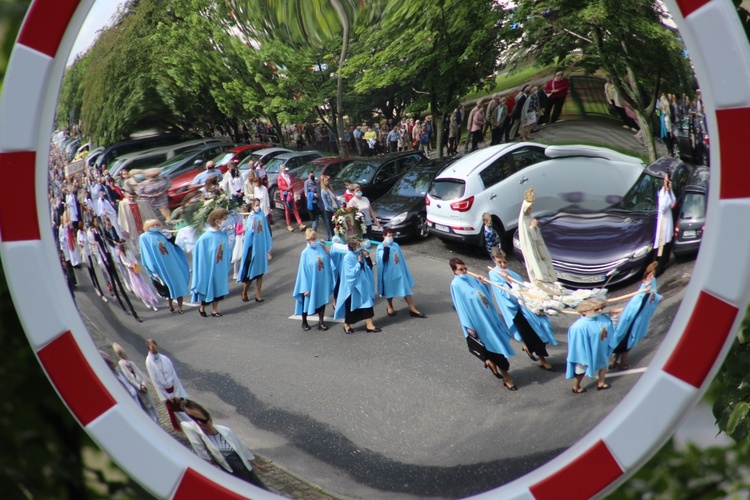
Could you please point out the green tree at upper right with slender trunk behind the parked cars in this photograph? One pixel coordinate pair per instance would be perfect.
(628, 40)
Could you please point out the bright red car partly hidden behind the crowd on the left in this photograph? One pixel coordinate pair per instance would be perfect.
(180, 183)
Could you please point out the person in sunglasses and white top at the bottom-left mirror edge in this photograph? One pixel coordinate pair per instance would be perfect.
(218, 445)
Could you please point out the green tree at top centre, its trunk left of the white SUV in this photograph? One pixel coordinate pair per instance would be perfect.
(440, 50)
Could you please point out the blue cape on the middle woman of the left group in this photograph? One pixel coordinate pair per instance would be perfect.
(211, 263)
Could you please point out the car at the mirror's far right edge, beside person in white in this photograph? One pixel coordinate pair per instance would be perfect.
(689, 224)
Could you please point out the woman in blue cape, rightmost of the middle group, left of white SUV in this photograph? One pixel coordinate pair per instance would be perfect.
(394, 278)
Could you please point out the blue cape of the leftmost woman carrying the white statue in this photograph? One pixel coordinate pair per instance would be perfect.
(475, 310)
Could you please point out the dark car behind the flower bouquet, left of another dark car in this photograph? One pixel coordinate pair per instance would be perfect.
(376, 175)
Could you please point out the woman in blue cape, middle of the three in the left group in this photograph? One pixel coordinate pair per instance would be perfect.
(211, 263)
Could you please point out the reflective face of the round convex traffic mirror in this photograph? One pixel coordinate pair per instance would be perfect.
(292, 228)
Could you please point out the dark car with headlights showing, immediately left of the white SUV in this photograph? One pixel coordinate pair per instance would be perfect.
(403, 207)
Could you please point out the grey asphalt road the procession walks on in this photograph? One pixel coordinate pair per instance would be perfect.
(404, 413)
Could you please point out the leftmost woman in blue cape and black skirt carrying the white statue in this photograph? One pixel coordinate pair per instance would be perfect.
(479, 319)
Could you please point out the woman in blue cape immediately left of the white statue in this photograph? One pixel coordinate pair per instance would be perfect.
(534, 330)
